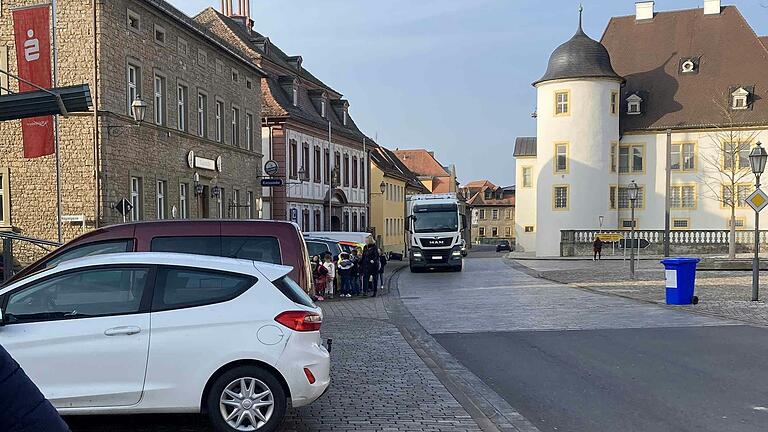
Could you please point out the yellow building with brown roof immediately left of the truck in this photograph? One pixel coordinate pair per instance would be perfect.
(391, 183)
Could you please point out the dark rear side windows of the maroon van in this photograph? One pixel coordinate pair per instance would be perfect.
(266, 249)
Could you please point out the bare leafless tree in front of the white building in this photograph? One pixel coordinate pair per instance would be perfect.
(726, 173)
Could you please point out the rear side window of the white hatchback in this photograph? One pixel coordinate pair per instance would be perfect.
(179, 287)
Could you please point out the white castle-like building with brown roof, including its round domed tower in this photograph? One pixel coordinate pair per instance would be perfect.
(603, 112)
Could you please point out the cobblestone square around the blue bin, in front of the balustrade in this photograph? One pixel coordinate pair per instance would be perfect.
(725, 294)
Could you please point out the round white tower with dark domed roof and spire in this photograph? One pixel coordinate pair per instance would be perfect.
(576, 126)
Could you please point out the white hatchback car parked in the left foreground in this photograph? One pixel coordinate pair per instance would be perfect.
(168, 333)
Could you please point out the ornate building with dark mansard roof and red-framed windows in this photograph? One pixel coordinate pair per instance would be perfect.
(326, 185)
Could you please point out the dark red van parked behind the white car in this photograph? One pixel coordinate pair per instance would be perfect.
(269, 241)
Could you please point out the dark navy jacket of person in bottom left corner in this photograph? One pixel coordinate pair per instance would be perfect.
(22, 407)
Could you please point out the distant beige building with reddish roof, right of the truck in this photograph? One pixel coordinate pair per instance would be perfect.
(493, 211)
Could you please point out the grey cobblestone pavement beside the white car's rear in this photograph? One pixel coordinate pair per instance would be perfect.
(379, 383)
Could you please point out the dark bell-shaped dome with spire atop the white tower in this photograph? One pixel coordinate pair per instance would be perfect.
(580, 57)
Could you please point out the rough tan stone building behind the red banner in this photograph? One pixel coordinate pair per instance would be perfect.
(197, 152)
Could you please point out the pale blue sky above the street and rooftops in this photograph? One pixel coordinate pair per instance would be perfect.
(452, 76)
